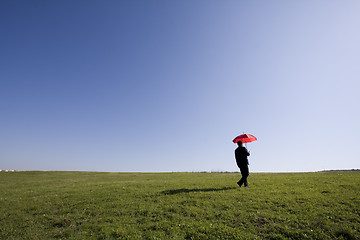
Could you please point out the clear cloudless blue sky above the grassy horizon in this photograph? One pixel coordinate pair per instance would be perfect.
(166, 85)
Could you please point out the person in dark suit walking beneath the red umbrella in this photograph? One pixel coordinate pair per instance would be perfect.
(241, 154)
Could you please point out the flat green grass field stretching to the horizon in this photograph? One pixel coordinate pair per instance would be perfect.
(84, 205)
